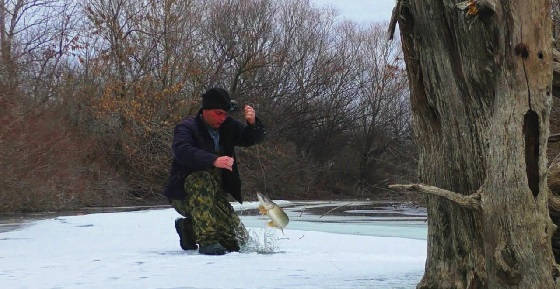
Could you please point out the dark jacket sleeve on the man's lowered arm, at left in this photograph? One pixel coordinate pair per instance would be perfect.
(185, 150)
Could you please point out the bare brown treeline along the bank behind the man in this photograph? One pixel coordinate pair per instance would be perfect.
(91, 92)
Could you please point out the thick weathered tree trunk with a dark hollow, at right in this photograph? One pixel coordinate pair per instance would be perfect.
(480, 76)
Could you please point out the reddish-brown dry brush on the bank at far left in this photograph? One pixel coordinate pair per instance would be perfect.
(48, 165)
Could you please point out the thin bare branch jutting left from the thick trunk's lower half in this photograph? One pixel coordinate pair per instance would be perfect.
(470, 201)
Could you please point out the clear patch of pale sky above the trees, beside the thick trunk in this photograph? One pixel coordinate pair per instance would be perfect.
(362, 11)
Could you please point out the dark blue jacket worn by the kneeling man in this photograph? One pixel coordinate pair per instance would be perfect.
(193, 150)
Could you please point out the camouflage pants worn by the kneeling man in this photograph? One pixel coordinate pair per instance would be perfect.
(213, 217)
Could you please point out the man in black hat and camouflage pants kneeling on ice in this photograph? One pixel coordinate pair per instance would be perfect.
(204, 170)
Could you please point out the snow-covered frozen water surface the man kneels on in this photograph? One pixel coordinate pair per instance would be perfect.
(326, 245)
